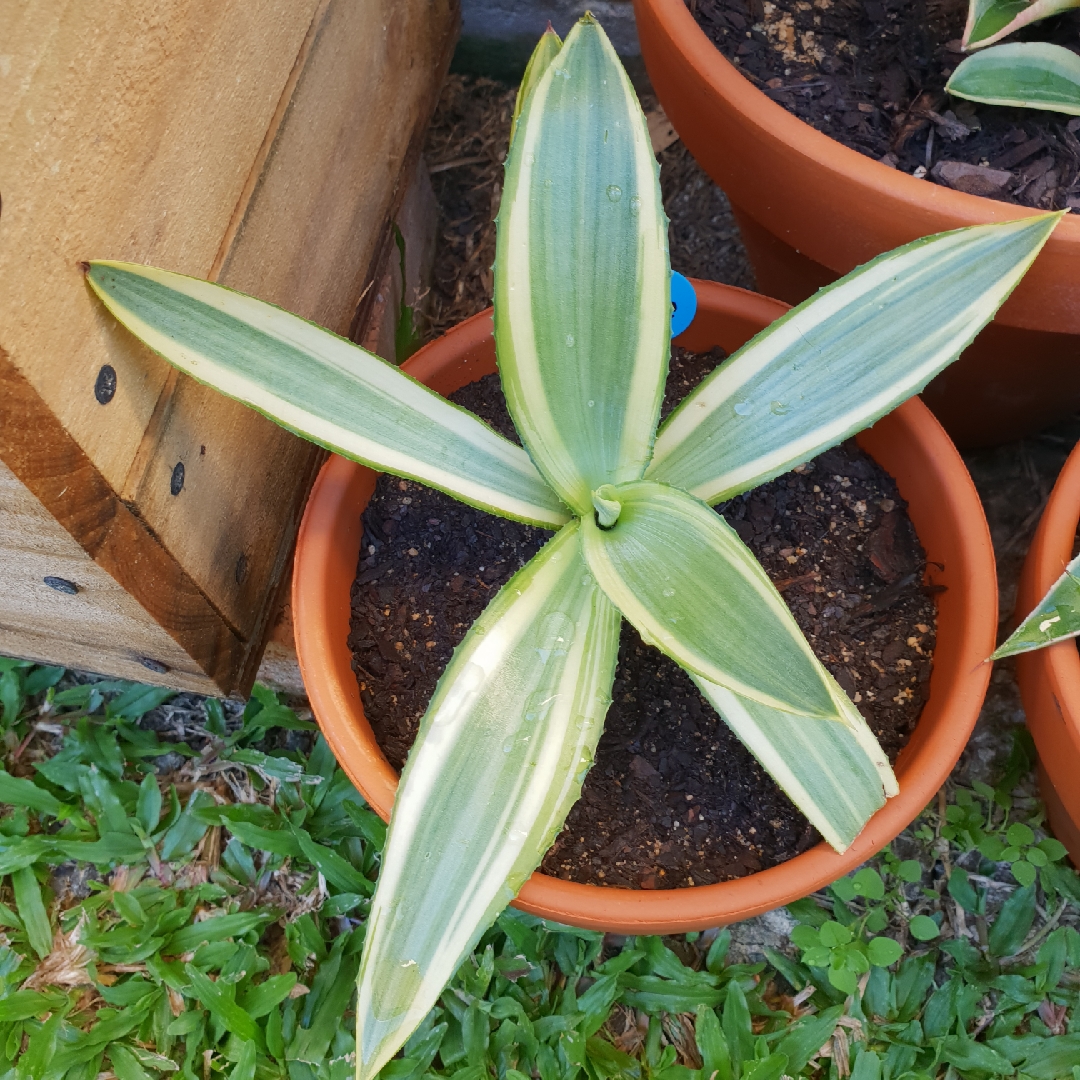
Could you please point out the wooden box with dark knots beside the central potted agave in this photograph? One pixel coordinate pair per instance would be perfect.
(146, 523)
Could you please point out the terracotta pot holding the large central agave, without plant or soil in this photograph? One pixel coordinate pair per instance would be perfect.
(947, 514)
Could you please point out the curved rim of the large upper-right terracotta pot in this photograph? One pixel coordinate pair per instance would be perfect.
(857, 169)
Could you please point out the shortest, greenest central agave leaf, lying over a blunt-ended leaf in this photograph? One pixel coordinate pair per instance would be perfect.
(693, 589)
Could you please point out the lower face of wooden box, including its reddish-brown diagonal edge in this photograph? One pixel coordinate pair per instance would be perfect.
(123, 574)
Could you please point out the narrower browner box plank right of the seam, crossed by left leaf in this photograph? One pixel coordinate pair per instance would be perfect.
(309, 239)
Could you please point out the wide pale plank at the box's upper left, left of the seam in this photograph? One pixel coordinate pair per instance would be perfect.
(130, 128)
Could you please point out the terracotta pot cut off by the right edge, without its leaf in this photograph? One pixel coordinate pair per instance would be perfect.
(1050, 679)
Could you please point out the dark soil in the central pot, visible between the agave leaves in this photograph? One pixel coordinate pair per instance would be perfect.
(673, 799)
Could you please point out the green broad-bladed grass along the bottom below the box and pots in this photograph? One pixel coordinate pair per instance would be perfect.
(184, 887)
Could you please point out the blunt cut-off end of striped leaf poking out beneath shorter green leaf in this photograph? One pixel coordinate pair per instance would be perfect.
(833, 769)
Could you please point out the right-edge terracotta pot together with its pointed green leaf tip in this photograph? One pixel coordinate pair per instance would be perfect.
(1048, 661)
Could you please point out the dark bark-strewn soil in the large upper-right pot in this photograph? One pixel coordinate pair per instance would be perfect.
(872, 75)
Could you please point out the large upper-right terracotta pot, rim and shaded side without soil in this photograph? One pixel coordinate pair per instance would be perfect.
(811, 210)
